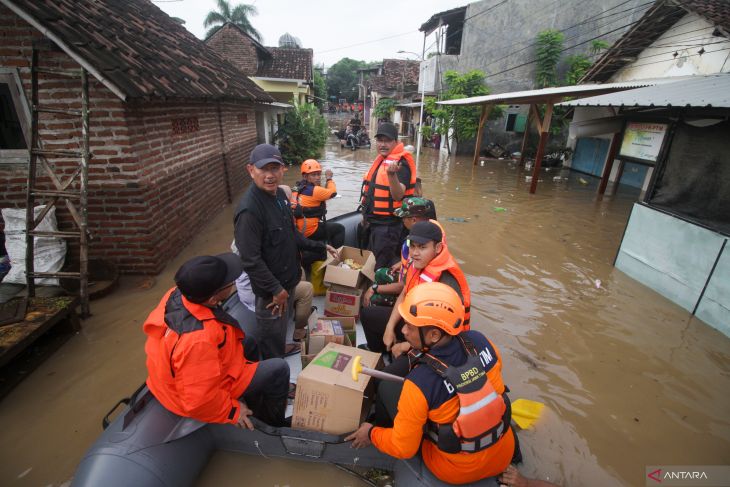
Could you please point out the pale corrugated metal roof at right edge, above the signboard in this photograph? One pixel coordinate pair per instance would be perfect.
(705, 91)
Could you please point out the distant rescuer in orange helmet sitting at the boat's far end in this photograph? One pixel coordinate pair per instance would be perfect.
(309, 205)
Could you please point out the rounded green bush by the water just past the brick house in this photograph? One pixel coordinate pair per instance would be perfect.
(303, 134)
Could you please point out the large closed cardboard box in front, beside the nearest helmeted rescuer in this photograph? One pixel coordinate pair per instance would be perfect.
(327, 398)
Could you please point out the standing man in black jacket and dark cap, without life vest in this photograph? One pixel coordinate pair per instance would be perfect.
(269, 245)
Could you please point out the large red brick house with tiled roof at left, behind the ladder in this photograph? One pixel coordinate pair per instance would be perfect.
(171, 122)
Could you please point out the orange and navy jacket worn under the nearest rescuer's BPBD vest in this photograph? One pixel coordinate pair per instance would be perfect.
(425, 396)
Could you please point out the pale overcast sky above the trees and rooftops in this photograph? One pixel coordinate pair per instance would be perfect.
(369, 30)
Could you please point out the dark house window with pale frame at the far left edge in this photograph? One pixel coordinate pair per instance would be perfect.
(14, 120)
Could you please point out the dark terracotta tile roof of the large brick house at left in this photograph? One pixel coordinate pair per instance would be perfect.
(139, 49)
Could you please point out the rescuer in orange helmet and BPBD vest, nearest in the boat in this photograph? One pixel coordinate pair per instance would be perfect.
(453, 405)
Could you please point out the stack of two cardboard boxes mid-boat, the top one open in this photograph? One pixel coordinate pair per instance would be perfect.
(345, 290)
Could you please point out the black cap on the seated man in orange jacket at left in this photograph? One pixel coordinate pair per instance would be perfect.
(201, 277)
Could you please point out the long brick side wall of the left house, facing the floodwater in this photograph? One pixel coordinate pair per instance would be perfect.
(187, 177)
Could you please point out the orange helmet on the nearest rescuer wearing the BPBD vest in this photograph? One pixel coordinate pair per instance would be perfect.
(434, 304)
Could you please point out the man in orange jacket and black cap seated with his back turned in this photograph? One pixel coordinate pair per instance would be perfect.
(195, 352)
